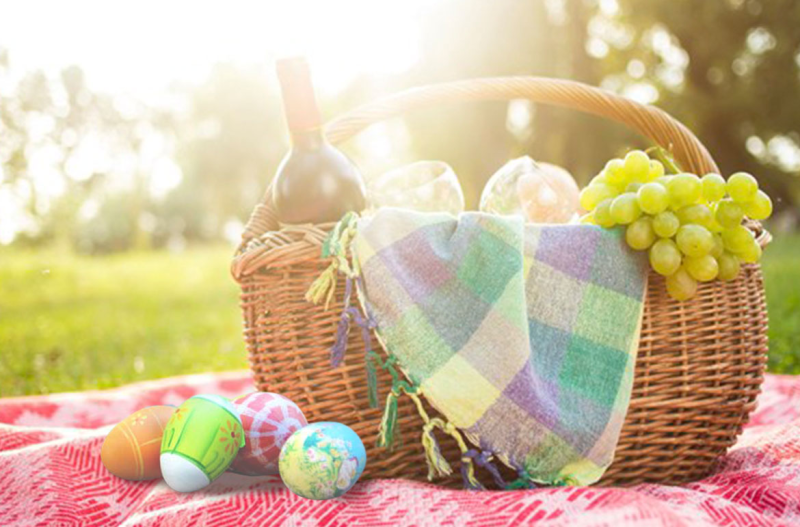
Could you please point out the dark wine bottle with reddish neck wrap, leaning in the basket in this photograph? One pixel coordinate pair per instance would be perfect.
(315, 182)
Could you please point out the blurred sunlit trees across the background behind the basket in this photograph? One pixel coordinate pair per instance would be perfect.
(101, 172)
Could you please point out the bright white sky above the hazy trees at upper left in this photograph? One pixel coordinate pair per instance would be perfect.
(140, 47)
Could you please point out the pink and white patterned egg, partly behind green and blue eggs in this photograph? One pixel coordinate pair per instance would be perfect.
(268, 420)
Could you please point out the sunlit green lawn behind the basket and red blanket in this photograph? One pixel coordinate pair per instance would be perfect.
(72, 322)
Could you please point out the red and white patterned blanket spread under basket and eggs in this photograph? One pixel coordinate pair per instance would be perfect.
(50, 474)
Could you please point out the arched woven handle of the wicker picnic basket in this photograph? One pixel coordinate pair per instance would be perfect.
(649, 121)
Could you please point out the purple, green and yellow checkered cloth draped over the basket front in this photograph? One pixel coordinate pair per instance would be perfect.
(523, 336)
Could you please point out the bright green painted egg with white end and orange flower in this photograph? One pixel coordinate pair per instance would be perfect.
(200, 442)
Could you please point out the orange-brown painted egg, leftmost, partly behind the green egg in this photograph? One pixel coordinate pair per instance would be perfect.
(131, 450)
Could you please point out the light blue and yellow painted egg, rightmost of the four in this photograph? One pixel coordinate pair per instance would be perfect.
(322, 461)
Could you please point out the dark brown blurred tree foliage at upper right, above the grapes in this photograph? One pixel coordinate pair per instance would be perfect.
(729, 70)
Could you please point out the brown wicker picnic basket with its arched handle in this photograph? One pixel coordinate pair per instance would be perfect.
(700, 363)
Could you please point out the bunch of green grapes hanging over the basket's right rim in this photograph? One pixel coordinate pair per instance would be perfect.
(691, 226)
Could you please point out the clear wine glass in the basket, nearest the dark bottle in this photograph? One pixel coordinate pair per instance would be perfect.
(425, 186)
